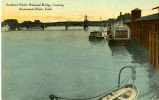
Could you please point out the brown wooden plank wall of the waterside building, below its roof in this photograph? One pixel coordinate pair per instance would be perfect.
(146, 33)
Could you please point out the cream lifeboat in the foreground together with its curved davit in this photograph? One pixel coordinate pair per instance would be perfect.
(127, 92)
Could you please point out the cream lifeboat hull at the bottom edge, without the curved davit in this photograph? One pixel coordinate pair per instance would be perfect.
(128, 92)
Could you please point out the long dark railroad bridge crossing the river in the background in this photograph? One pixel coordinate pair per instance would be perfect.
(85, 24)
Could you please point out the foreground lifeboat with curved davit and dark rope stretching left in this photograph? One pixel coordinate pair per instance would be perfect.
(127, 92)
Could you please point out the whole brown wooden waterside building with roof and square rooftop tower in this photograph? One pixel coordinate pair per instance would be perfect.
(145, 31)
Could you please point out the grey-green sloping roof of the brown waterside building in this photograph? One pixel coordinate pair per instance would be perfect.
(149, 17)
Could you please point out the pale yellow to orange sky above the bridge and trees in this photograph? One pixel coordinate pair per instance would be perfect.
(75, 10)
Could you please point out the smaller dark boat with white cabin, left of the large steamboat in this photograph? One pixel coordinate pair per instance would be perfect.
(98, 34)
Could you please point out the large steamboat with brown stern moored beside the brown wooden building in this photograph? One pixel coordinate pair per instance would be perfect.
(119, 34)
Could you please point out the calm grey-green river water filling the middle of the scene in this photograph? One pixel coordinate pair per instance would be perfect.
(36, 64)
